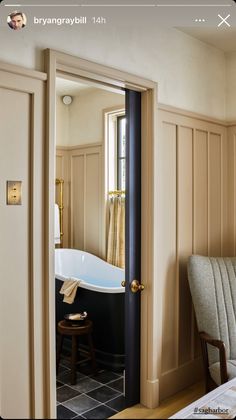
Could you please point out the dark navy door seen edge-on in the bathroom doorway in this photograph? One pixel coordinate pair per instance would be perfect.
(132, 247)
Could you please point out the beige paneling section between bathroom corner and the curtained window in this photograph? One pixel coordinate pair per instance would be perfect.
(86, 198)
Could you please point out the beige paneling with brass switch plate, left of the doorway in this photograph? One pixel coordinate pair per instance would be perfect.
(23, 381)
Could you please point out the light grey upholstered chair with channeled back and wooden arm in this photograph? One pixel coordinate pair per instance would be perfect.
(212, 284)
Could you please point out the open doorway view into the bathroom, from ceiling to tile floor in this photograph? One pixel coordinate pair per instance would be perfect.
(90, 237)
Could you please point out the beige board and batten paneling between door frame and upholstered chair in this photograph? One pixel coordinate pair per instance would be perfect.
(193, 218)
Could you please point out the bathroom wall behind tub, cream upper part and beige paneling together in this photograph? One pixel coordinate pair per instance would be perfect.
(80, 162)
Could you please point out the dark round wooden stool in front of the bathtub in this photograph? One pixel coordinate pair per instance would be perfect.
(66, 328)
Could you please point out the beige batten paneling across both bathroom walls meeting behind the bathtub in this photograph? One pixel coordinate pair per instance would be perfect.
(82, 167)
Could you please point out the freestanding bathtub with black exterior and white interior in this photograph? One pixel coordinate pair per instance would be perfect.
(101, 295)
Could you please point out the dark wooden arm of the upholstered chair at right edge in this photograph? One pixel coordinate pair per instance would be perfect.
(207, 339)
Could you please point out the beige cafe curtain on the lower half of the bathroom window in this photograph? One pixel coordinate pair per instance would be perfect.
(116, 231)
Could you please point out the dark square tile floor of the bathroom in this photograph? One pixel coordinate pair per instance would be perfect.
(97, 396)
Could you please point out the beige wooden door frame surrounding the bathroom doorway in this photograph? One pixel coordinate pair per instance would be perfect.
(61, 63)
